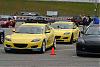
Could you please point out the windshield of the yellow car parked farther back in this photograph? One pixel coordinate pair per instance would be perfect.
(62, 26)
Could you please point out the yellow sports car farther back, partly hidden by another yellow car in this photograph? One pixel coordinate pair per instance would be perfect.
(65, 31)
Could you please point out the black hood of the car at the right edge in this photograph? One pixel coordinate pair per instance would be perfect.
(92, 39)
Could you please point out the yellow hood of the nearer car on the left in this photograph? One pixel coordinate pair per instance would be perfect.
(16, 37)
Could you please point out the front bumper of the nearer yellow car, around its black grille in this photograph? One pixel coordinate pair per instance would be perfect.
(35, 46)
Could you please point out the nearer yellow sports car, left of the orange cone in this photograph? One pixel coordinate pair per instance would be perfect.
(36, 37)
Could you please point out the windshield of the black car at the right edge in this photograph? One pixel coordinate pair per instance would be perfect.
(93, 31)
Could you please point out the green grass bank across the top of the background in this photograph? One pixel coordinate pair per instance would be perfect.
(64, 8)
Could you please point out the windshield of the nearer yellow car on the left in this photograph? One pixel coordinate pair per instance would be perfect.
(30, 29)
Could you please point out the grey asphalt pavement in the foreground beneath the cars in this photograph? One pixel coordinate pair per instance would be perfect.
(65, 57)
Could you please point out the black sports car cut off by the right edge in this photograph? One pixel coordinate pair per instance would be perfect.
(89, 42)
